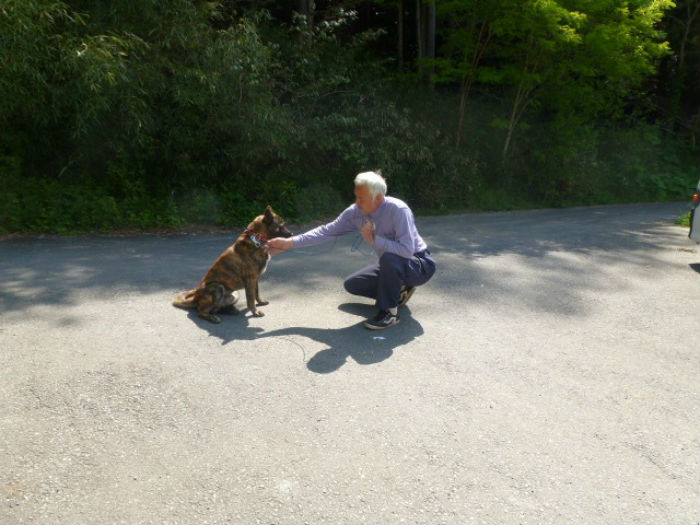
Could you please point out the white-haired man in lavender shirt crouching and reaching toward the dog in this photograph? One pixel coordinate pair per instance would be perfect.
(386, 223)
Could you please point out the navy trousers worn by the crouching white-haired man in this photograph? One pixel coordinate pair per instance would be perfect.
(383, 281)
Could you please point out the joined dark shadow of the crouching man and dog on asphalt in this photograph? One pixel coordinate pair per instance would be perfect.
(364, 346)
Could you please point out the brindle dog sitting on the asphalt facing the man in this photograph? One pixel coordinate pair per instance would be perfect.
(240, 266)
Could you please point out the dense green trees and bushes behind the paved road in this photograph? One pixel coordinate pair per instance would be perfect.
(144, 113)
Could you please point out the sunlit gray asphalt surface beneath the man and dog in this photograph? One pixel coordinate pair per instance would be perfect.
(549, 373)
